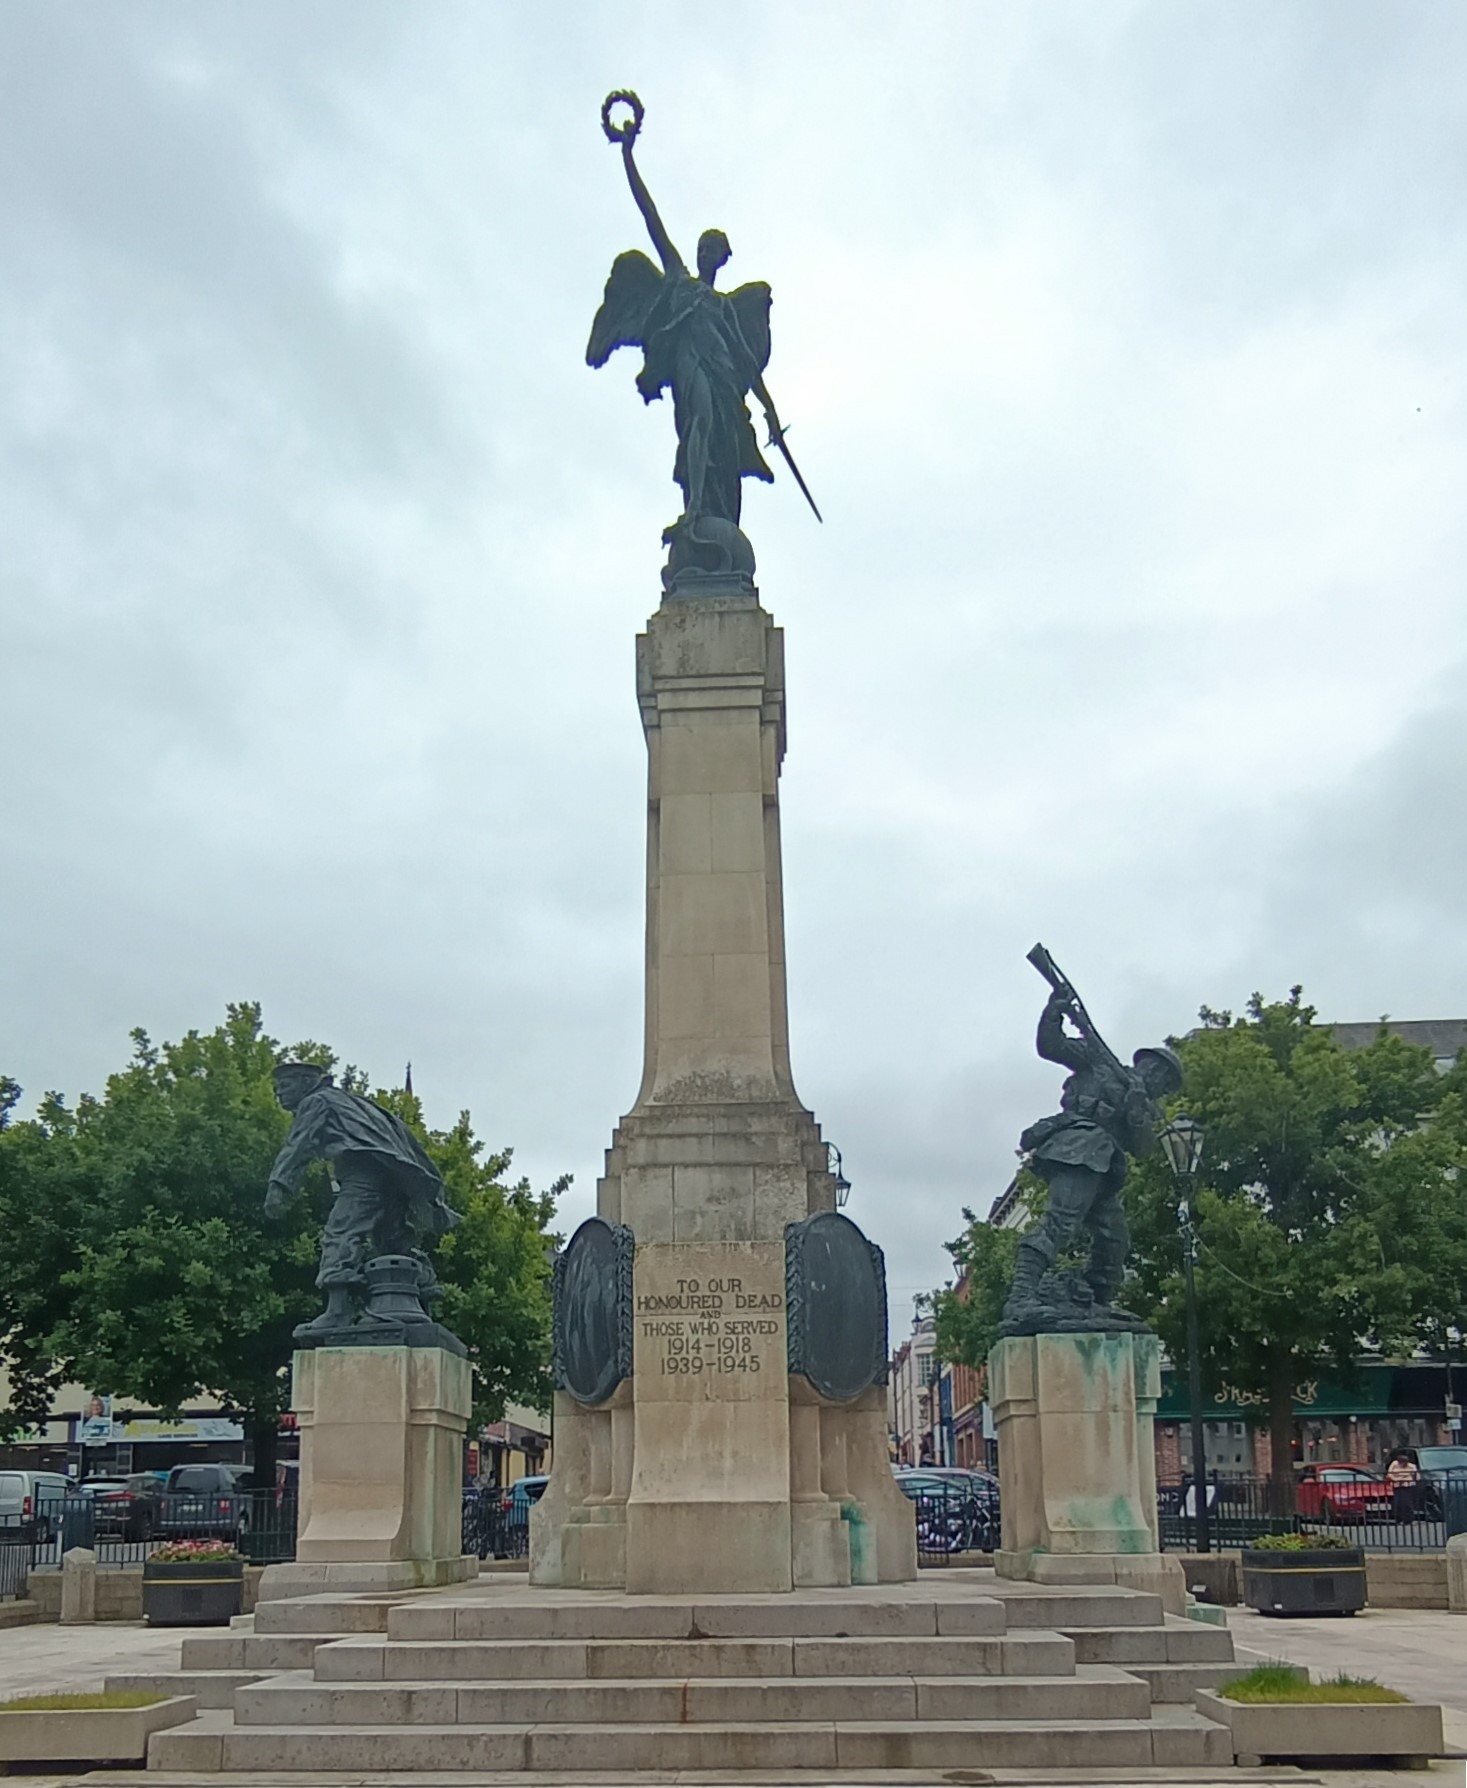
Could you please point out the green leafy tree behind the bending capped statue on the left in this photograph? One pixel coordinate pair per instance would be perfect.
(142, 1261)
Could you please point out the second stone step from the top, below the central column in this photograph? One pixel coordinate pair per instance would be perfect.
(534, 1660)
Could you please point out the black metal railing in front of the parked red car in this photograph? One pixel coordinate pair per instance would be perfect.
(1244, 1510)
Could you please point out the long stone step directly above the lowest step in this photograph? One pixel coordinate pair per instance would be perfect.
(300, 1699)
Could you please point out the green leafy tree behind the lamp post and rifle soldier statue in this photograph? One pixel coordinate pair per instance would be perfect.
(1330, 1213)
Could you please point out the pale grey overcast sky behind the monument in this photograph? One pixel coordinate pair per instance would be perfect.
(1124, 351)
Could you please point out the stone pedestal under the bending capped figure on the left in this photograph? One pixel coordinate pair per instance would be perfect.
(382, 1471)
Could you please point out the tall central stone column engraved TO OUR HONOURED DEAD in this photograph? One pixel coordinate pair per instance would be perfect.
(711, 1469)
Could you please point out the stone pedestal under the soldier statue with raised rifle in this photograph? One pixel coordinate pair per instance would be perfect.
(1078, 1463)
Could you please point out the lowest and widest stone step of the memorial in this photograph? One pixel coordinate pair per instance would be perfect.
(1182, 1742)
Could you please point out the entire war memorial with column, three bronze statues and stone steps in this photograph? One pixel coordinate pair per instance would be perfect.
(724, 1574)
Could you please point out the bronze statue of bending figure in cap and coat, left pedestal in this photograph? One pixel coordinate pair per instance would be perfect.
(389, 1202)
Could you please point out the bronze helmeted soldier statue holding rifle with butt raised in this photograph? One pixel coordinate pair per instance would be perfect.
(1107, 1113)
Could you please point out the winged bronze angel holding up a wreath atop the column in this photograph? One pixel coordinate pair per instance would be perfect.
(711, 350)
